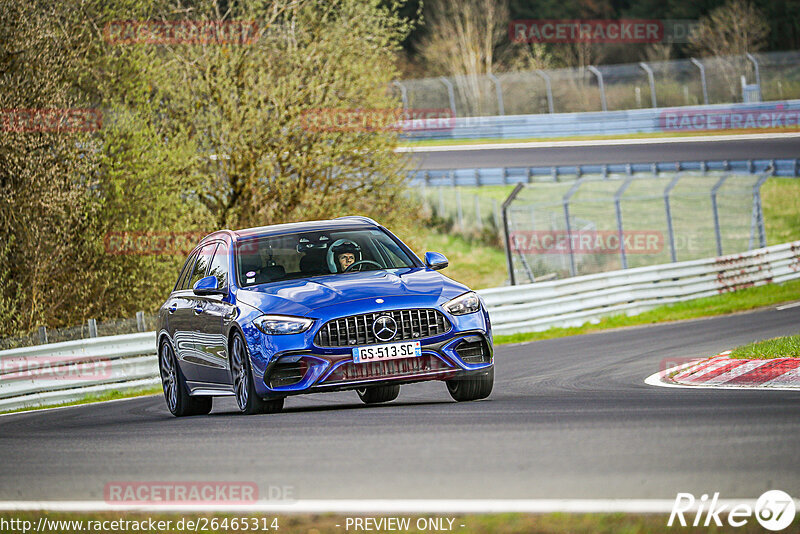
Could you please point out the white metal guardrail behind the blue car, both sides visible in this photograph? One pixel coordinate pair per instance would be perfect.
(68, 371)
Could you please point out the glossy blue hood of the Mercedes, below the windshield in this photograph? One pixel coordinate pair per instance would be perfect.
(301, 297)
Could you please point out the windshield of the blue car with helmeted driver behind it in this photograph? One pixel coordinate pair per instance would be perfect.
(303, 255)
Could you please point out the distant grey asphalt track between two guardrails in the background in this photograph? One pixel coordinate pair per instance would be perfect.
(599, 153)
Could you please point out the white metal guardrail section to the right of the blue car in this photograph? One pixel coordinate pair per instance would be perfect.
(574, 301)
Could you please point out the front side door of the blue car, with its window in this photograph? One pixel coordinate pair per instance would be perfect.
(212, 367)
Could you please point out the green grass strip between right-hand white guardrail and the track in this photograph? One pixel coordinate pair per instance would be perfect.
(745, 299)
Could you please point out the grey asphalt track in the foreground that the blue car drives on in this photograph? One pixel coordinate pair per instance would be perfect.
(568, 418)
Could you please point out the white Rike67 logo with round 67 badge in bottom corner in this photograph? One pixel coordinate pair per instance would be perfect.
(774, 511)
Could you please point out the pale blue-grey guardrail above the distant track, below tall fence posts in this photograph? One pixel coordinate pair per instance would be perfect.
(686, 119)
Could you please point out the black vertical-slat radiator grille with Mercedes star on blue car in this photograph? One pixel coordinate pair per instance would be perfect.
(357, 329)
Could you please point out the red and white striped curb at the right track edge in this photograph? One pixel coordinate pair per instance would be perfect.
(723, 372)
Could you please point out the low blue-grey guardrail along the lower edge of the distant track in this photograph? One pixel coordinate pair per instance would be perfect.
(512, 175)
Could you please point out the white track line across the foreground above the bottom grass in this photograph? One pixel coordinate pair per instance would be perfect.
(409, 506)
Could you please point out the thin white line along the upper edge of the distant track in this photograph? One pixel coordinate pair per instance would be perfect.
(599, 142)
